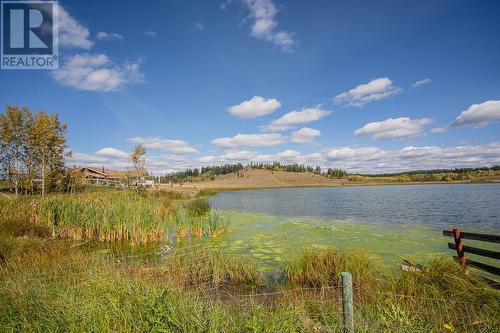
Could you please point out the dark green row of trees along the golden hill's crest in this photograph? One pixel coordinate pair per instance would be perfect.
(215, 170)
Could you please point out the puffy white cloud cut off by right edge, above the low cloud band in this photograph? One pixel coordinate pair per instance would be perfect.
(479, 115)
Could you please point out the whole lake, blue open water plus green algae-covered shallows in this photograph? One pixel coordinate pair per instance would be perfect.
(390, 222)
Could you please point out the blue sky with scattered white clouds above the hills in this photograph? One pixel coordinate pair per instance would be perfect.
(366, 86)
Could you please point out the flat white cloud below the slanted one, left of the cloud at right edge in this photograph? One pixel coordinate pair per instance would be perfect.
(394, 128)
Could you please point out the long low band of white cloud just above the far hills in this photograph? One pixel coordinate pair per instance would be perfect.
(366, 159)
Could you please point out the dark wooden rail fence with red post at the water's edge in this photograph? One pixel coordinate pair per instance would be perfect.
(462, 249)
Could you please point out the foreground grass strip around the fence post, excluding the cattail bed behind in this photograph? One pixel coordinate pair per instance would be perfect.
(53, 287)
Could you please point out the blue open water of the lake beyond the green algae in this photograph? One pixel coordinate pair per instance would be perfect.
(472, 206)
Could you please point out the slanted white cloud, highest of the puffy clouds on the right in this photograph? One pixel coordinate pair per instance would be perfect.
(374, 90)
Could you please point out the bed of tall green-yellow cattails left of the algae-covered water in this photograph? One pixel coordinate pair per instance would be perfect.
(108, 214)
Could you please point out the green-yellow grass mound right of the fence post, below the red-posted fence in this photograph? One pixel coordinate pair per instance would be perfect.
(440, 298)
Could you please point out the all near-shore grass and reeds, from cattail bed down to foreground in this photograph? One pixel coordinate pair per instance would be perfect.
(64, 267)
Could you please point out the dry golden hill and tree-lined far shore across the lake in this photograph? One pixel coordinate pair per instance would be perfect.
(193, 182)
